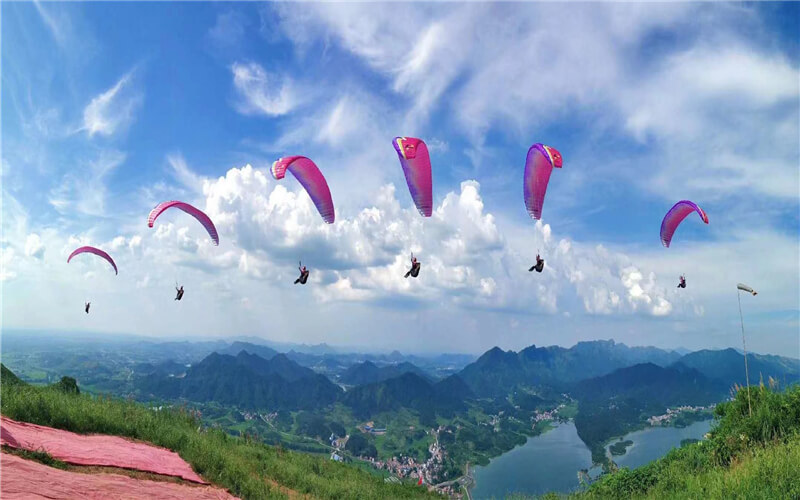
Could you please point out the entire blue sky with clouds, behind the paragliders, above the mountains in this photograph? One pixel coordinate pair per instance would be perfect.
(110, 108)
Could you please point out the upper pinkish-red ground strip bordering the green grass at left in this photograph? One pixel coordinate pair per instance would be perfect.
(111, 451)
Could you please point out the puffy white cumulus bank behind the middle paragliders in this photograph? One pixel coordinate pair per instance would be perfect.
(364, 256)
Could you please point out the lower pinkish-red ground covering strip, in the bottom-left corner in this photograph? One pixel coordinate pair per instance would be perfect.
(24, 479)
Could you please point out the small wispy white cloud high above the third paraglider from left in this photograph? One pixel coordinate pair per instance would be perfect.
(262, 93)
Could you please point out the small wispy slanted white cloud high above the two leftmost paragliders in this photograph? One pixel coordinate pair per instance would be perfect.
(112, 110)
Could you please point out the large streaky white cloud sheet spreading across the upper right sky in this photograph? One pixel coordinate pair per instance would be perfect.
(719, 113)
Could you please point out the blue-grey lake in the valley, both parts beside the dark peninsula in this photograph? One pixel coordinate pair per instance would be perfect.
(551, 461)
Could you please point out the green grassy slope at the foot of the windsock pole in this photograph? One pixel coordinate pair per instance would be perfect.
(746, 456)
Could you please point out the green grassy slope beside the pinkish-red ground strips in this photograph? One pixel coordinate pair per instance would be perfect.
(247, 469)
